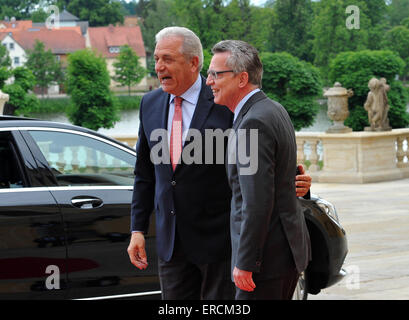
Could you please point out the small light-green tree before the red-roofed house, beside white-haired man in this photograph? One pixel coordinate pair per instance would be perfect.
(128, 70)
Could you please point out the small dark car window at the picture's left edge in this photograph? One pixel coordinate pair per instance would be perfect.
(10, 175)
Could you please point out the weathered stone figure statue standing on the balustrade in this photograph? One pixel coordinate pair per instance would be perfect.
(377, 105)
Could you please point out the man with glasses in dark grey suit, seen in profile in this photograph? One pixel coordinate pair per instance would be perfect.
(270, 241)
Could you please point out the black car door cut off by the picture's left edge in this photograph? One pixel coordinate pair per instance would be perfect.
(32, 249)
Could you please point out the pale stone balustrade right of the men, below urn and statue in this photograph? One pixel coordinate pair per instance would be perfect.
(355, 157)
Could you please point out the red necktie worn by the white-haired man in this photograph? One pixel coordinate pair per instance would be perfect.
(176, 133)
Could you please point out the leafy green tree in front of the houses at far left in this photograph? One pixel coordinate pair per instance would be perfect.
(44, 65)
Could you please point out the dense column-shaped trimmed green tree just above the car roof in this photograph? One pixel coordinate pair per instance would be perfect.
(88, 84)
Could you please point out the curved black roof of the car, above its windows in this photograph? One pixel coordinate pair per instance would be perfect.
(13, 121)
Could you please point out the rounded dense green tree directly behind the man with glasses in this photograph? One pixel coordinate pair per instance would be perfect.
(294, 83)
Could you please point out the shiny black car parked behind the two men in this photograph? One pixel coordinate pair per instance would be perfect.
(65, 195)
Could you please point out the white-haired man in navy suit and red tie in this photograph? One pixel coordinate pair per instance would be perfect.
(191, 201)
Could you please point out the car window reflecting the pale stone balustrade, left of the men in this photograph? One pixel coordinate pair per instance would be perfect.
(78, 160)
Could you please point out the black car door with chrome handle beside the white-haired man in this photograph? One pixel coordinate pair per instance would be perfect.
(94, 192)
